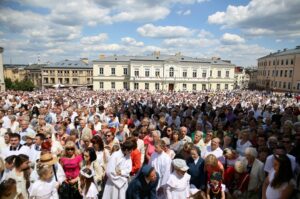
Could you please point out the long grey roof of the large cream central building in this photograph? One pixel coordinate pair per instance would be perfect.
(159, 57)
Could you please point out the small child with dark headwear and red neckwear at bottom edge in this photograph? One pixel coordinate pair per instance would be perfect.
(215, 188)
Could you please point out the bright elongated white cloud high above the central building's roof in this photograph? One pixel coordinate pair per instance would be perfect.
(149, 30)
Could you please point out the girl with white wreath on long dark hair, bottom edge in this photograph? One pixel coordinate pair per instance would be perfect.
(87, 185)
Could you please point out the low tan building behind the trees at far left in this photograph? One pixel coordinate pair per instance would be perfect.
(15, 71)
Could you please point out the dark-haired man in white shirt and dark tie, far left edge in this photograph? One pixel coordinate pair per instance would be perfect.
(15, 148)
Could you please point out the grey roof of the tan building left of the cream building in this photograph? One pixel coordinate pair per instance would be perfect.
(69, 64)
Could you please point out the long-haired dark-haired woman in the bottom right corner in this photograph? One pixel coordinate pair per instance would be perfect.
(279, 183)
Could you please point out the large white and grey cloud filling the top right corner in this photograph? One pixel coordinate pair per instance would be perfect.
(268, 17)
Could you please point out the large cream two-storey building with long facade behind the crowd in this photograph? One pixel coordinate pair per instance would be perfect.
(162, 72)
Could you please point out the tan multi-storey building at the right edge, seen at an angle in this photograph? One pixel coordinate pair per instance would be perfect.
(280, 71)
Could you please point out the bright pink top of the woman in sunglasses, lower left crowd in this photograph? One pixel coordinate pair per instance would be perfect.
(71, 166)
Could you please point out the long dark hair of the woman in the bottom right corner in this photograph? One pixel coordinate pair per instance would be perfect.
(285, 173)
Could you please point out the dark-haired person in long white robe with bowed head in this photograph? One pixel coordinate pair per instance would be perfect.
(118, 170)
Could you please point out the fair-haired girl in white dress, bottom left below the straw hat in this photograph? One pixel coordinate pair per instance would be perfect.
(44, 187)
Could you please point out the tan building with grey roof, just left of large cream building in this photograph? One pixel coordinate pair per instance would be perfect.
(67, 73)
